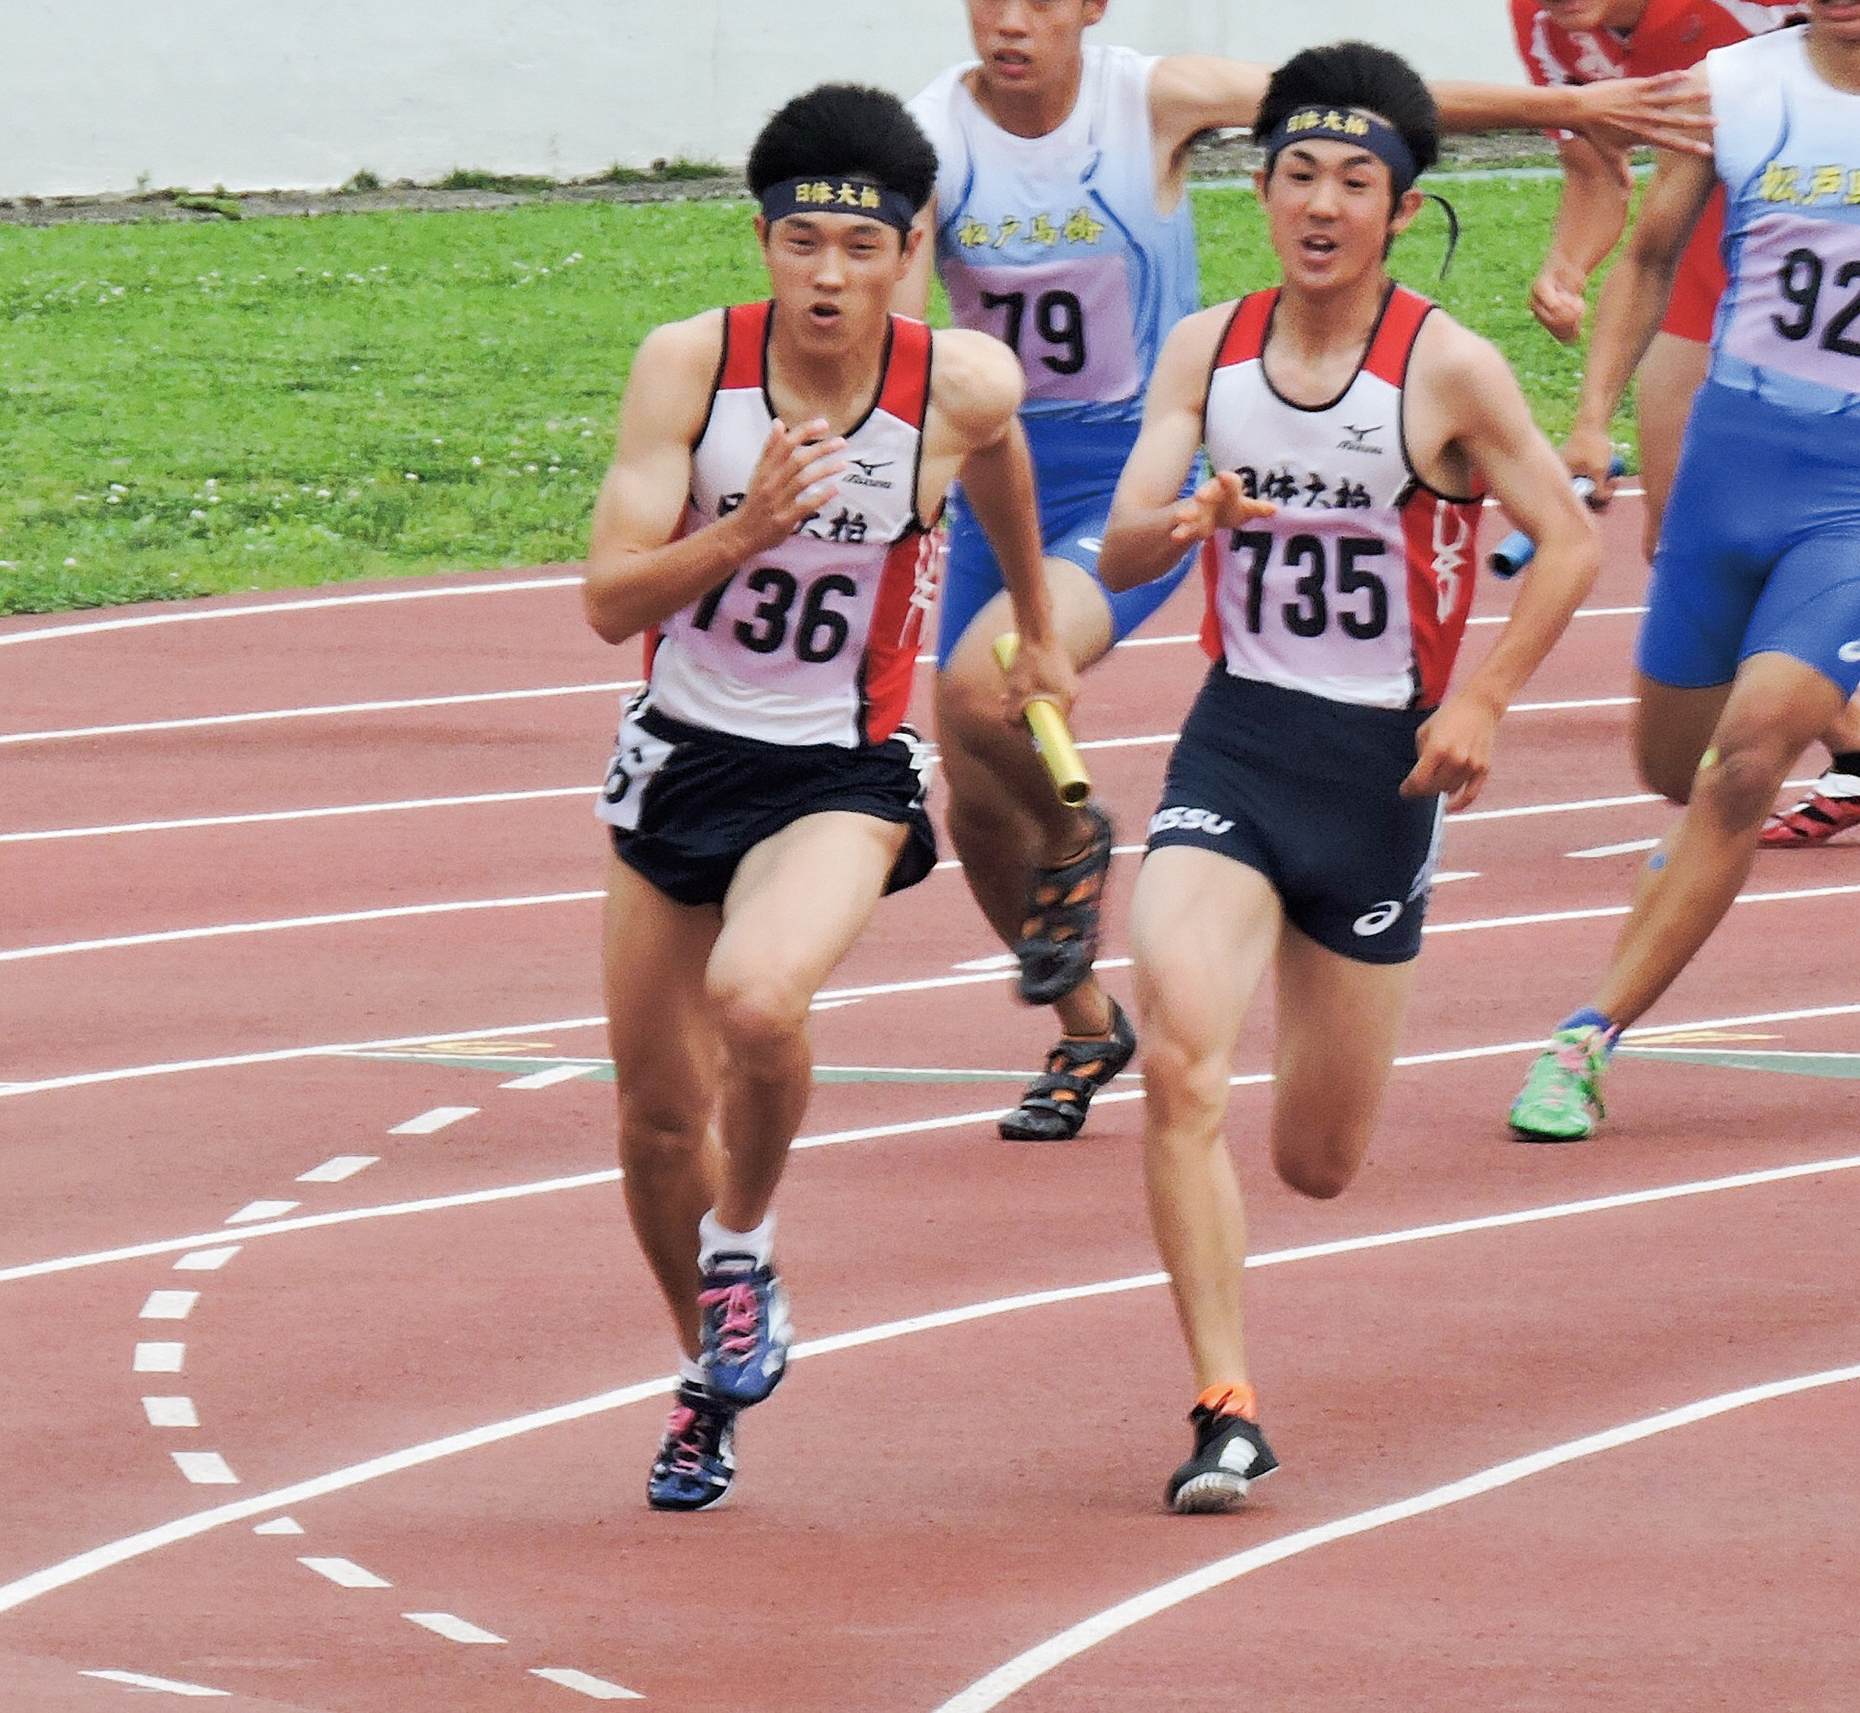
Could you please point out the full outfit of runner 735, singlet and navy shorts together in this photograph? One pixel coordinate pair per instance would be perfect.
(1333, 626)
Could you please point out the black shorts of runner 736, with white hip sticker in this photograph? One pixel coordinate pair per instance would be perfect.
(687, 804)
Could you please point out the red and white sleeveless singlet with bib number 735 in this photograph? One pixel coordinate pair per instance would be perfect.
(1359, 589)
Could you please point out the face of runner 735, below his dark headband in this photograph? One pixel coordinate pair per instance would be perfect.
(1329, 213)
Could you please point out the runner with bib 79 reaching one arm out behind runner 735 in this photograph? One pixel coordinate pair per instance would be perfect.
(1063, 226)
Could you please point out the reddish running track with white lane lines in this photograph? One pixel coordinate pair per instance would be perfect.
(920, 1507)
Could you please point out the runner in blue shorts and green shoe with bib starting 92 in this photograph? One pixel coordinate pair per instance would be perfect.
(1751, 643)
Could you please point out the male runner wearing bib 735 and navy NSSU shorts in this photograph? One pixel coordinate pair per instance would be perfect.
(1353, 429)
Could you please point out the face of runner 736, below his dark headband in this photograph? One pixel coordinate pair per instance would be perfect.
(832, 276)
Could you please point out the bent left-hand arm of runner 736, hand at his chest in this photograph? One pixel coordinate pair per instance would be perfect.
(637, 572)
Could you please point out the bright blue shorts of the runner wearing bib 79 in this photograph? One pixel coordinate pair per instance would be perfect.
(1078, 466)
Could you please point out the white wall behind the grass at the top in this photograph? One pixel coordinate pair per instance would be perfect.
(103, 96)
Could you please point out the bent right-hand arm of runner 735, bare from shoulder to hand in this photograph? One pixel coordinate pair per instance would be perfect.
(1478, 406)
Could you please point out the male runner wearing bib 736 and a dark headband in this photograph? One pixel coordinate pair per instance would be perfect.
(765, 524)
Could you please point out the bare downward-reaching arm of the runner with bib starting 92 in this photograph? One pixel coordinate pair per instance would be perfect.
(1634, 304)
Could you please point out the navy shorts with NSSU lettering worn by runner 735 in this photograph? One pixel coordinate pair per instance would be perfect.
(1307, 791)
